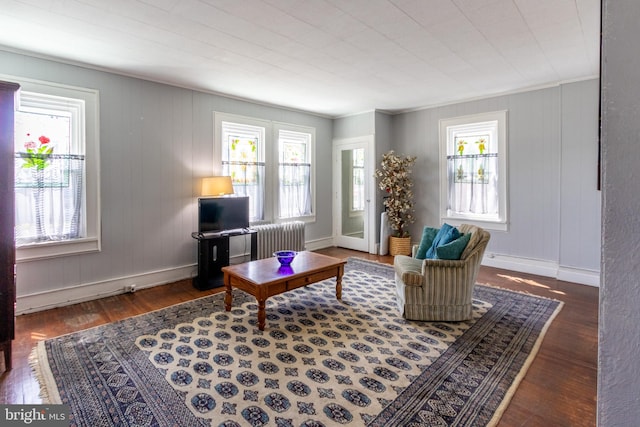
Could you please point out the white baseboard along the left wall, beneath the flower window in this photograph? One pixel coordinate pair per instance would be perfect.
(80, 293)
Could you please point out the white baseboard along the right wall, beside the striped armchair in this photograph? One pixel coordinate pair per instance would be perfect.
(543, 268)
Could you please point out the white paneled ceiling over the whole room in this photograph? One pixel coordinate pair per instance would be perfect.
(332, 57)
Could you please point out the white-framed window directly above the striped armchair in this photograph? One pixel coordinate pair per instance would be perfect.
(473, 170)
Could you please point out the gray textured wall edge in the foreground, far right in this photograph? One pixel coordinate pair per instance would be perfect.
(619, 340)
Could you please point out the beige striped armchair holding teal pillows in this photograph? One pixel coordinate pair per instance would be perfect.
(440, 290)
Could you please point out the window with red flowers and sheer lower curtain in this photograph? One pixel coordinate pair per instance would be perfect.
(56, 170)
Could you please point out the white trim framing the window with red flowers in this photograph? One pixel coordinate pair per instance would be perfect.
(91, 129)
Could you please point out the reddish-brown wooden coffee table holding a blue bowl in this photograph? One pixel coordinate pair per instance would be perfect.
(265, 278)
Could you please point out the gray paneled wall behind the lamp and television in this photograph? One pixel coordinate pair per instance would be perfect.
(156, 142)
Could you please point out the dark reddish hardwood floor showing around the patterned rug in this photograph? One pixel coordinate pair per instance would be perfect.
(559, 388)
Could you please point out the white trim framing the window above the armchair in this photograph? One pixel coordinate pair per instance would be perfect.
(502, 223)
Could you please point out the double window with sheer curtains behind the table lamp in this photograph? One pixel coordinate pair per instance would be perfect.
(270, 162)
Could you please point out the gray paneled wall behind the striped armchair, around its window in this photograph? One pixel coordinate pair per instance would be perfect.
(554, 216)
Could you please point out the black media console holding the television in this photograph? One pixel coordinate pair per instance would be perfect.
(213, 254)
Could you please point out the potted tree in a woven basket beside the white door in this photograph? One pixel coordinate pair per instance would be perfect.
(394, 177)
